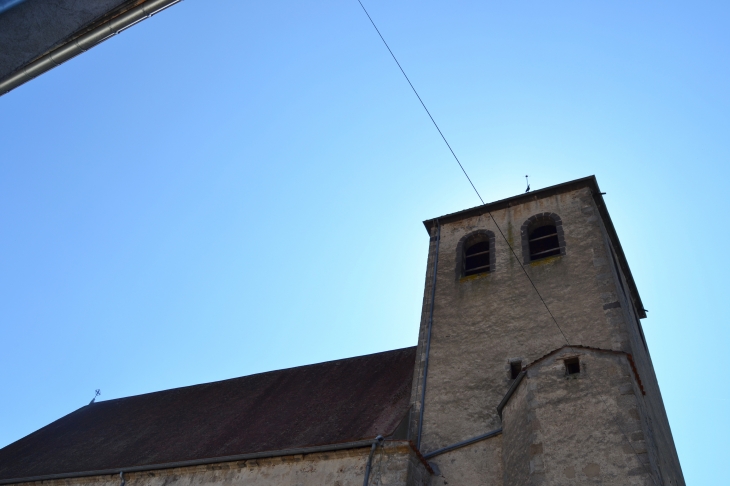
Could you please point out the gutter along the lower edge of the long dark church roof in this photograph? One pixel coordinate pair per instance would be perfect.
(197, 462)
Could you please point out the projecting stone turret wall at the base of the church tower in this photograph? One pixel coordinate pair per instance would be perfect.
(576, 429)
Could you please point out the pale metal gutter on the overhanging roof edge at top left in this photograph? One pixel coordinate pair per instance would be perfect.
(82, 44)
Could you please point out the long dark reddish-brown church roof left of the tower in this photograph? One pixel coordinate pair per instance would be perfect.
(327, 403)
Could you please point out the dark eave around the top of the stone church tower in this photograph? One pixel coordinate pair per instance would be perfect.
(591, 183)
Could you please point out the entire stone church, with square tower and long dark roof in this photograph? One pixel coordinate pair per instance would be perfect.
(531, 368)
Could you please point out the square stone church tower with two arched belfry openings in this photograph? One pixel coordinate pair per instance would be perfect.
(532, 366)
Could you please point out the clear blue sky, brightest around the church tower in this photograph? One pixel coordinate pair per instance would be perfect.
(235, 187)
